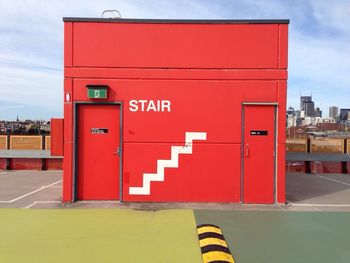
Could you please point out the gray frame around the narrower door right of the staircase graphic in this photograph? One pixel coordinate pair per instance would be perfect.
(275, 105)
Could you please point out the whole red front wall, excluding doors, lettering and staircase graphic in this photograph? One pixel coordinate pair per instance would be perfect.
(206, 72)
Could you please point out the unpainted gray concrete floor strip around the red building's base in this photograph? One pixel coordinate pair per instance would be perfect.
(305, 192)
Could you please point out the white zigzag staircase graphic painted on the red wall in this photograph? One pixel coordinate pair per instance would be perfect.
(145, 189)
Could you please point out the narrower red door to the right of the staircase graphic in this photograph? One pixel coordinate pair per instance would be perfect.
(258, 156)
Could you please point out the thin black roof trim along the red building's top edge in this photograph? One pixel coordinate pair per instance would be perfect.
(177, 21)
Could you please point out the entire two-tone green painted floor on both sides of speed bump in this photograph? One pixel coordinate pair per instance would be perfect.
(124, 235)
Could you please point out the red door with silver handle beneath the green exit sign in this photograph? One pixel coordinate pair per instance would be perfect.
(98, 139)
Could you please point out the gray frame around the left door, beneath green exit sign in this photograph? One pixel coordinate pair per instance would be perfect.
(76, 105)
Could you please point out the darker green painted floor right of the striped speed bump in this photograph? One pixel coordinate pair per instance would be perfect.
(283, 237)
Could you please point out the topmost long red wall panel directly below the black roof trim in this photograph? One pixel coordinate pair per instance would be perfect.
(175, 45)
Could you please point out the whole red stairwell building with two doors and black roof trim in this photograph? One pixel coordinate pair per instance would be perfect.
(175, 110)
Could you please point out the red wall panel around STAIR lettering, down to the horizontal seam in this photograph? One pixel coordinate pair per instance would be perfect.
(210, 106)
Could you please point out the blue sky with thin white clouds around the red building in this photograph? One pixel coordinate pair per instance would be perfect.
(31, 45)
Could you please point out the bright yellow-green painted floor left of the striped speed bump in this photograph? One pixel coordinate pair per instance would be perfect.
(101, 235)
